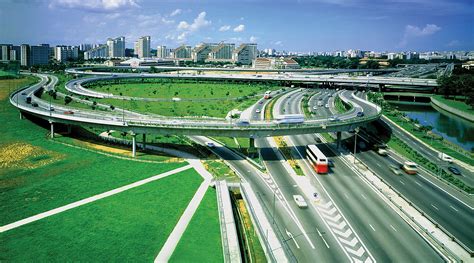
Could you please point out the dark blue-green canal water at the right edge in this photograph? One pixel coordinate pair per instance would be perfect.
(451, 127)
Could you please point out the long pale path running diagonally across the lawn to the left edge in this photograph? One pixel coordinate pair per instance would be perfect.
(90, 199)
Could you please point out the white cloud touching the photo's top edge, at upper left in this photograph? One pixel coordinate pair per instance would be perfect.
(94, 5)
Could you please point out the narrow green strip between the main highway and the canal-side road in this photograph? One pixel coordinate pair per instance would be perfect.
(400, 147)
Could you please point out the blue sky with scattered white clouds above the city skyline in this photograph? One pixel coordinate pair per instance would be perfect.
(301, 25)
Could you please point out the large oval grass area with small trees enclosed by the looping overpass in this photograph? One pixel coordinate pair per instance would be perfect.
(208, 99)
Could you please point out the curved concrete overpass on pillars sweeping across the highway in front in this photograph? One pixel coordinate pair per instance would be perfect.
(154, 124)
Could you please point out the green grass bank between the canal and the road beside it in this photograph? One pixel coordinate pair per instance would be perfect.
(435, 141)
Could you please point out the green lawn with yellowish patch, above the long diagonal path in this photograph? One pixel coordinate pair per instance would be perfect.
(37, 174)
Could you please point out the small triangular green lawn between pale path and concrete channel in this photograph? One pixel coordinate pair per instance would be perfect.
(201, 242)
